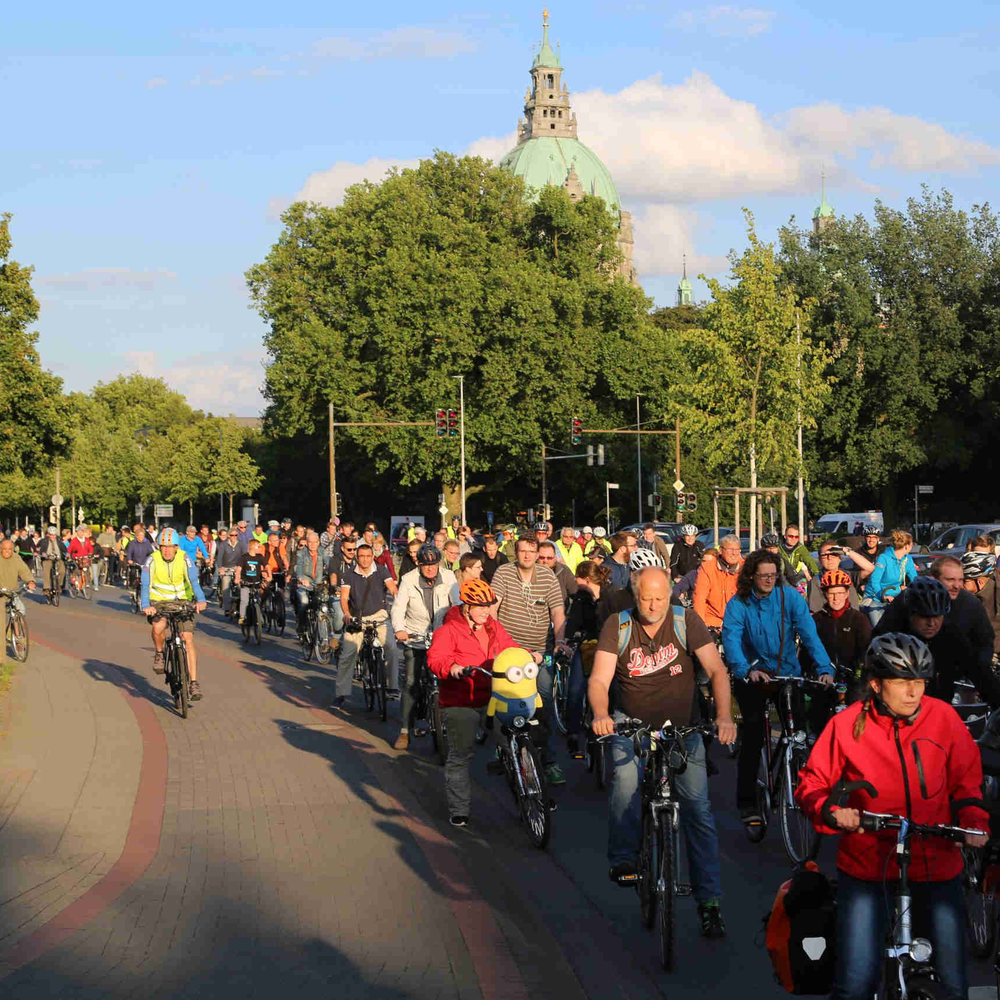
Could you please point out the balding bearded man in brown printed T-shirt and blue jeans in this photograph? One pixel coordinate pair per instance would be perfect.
(654, 677)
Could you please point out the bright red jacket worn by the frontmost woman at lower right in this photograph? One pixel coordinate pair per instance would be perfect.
(942, 765)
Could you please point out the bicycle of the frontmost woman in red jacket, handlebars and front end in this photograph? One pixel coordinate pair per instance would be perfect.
(906, 966)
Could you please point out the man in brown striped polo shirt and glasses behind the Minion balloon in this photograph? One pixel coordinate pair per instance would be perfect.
(531, 602)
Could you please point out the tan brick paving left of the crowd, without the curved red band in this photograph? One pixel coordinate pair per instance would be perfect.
(282, 862)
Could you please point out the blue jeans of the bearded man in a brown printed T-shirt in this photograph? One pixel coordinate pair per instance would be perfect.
(625, 771)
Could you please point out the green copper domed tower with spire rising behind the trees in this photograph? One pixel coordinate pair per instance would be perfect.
(549, 152)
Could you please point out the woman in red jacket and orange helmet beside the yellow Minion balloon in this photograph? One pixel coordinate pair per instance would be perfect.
(468, 637)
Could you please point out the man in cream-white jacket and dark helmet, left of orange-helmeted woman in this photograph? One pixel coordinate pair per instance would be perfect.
(420, 606)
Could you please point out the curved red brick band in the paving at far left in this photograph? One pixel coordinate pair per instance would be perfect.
(141, 843)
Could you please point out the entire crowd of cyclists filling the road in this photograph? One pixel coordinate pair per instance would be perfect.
(647, 632)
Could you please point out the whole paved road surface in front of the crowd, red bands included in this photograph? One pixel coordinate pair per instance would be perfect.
(268, 844)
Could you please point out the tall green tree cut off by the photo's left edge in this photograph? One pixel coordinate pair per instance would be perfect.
(33, 411)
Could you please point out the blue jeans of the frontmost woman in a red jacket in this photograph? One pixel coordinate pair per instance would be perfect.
(938, 911)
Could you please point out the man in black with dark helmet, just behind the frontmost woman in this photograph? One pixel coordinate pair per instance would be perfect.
(927, 611)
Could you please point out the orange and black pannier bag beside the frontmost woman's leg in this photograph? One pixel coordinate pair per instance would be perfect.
(801, 932)
